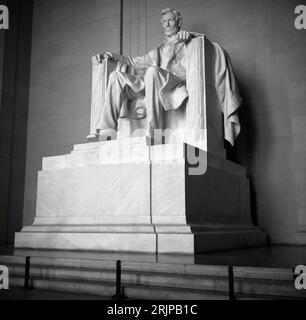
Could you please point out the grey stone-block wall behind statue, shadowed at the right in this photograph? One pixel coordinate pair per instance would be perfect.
(267, 52)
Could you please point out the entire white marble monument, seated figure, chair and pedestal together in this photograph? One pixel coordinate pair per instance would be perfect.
(128, 195)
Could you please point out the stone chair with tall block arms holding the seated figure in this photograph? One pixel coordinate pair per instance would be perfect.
(198, 121)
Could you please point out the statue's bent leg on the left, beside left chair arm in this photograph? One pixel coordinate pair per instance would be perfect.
(121, 88)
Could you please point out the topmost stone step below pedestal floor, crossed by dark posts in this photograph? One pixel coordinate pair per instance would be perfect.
(152, 266)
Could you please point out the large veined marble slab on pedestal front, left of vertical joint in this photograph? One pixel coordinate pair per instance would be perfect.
(103, 191)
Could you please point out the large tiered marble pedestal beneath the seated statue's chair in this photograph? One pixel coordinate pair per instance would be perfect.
(126, 196)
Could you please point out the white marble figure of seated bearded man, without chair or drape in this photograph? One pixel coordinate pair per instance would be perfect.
(160, 78)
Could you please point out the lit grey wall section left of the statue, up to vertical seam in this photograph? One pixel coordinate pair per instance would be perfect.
(65, 36)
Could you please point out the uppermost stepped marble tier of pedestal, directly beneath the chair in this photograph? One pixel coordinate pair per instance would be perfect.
(133, 151)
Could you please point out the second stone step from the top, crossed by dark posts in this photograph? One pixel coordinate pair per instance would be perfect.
(205, 283)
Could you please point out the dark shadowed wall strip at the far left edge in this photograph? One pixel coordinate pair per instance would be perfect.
(15, 48)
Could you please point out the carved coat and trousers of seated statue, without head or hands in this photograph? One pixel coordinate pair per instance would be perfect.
(157, 80)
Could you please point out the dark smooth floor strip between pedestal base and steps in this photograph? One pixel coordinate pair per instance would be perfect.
(276, 256)
